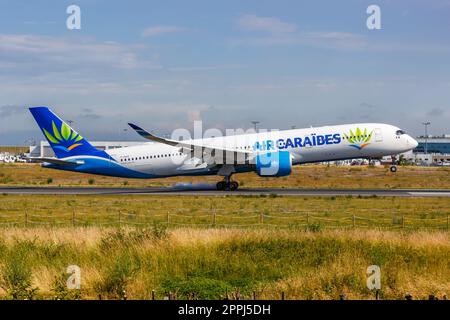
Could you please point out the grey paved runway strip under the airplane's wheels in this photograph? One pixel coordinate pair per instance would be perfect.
(203, 190)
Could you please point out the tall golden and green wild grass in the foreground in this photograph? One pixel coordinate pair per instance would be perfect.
(205, 264)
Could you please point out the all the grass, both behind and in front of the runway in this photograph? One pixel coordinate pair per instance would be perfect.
(204, 247)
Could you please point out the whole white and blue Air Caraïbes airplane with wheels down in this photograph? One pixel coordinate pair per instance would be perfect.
(269, 154)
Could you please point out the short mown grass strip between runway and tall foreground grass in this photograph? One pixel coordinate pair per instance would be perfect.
(239, 211)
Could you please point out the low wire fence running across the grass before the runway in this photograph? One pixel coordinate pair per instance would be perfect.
(219, 218)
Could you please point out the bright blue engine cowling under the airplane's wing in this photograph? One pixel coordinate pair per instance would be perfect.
(274, 164)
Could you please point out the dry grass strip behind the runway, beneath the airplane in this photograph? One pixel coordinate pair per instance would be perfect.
(307, 176)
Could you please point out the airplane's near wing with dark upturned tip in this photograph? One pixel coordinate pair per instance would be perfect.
(210, 152)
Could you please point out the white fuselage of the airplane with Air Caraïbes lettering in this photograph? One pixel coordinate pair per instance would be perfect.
(371, 140)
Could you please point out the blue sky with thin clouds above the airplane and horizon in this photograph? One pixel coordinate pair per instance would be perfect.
(165, 64)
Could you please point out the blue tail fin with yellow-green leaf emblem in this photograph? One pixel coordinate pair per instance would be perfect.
(64, 141)
